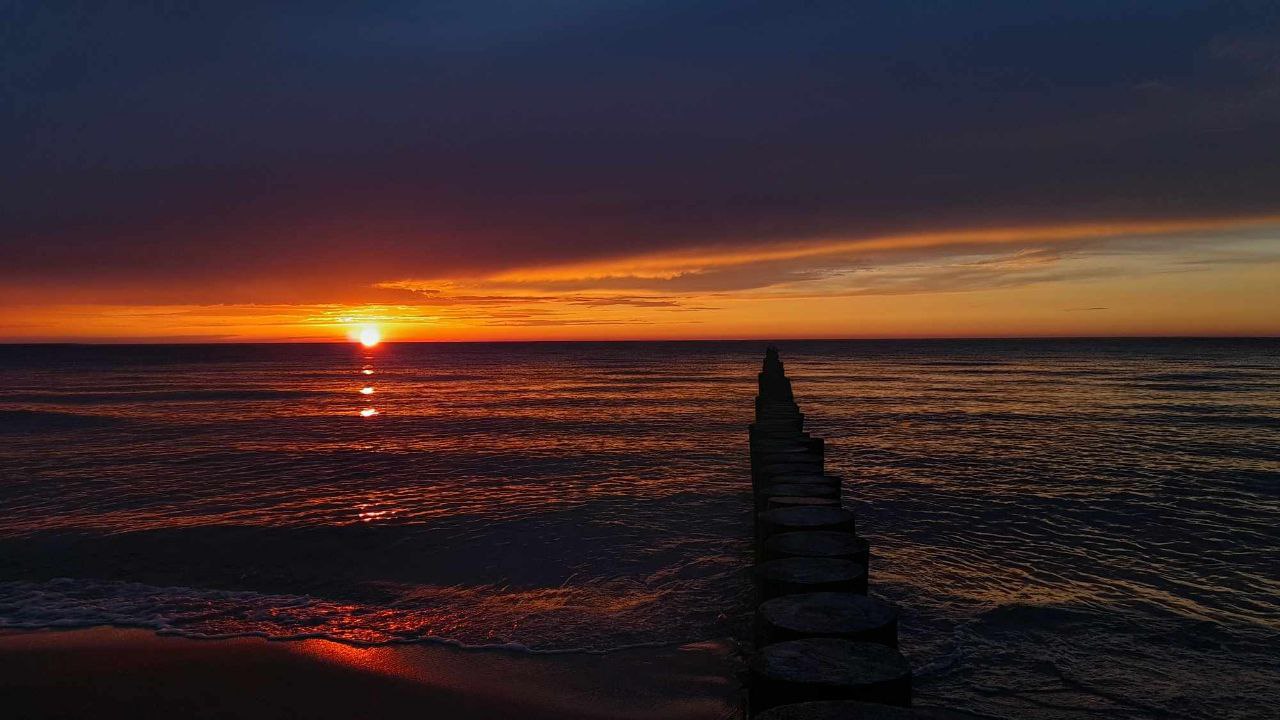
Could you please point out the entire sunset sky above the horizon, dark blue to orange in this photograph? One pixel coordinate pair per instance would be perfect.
(639, 170)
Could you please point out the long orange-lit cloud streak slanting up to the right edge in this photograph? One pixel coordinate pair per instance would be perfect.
(990, 258)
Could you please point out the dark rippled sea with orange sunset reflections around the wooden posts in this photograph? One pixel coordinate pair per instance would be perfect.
(1073, 528)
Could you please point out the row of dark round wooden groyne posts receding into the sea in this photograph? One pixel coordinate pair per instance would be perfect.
(824, 649)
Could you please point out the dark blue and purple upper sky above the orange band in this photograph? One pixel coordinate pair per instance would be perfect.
(157, 147)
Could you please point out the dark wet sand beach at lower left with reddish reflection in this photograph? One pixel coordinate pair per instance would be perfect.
(132, 673)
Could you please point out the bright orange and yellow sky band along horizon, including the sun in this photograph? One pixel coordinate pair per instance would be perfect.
(1215, 277)
